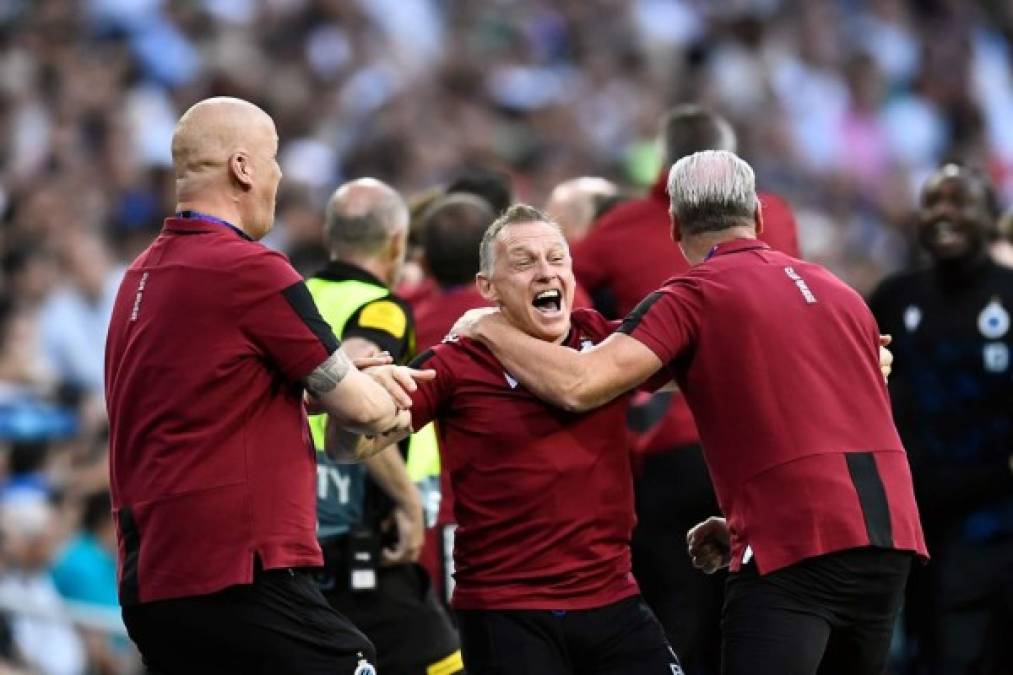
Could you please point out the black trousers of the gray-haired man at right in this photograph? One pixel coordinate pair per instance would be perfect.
(828, 616)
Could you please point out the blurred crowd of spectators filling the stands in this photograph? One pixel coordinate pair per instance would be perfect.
(843, 107)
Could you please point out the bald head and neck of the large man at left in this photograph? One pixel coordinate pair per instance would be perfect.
(224, 153)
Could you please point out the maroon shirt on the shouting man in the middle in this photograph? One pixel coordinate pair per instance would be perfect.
(543, 498)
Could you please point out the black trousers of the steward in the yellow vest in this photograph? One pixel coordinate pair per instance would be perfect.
(412, 631)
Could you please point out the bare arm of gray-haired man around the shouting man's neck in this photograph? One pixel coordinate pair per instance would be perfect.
(573, 381)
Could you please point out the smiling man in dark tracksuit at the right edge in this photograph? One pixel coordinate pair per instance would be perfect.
(953, 395)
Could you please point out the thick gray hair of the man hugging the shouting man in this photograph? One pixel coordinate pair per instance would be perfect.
(713, 191)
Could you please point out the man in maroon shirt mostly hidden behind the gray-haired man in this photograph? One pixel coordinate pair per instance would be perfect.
(687, 606)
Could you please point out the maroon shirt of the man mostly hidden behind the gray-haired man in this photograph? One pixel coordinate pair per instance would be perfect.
(642, 232)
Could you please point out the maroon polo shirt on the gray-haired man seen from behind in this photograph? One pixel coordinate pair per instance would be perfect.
(780, 361)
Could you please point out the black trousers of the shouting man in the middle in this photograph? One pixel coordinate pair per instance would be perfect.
(621, 639)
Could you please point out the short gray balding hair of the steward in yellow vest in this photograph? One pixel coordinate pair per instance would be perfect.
(361, 217)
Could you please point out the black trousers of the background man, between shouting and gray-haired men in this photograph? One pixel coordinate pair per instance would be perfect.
(674, 493)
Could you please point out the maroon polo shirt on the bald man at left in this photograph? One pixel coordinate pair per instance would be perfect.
(211, 461)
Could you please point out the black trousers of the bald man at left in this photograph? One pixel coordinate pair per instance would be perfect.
(280, 624)
